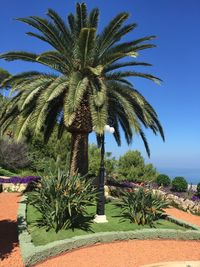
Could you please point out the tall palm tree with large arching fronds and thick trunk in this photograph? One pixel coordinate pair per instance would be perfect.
(89, 87)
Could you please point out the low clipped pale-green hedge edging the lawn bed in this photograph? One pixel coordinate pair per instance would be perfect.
(32, 254)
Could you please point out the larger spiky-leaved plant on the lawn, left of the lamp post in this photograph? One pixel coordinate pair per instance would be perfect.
(62, 202)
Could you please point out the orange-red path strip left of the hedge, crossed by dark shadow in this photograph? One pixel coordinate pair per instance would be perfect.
(9, 250)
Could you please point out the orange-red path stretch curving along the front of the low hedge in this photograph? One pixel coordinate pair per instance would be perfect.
(128, 254)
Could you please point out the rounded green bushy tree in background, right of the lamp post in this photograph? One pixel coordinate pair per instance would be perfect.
(131, 167)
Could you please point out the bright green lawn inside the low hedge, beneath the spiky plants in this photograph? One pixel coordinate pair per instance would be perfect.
(41, 237)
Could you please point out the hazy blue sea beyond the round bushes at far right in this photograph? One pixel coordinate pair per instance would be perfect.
(191, 175)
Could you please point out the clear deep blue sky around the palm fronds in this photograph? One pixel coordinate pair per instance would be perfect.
(175, 60)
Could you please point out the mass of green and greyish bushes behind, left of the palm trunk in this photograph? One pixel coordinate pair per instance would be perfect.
(33, 155)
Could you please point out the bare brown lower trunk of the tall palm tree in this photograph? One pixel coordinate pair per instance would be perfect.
(79, 153)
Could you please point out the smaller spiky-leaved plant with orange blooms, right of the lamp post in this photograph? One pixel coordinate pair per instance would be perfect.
(142, 206)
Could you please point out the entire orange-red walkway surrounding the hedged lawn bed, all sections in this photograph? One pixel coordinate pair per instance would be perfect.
(118, 254)
